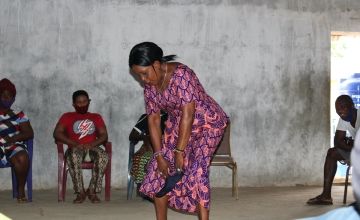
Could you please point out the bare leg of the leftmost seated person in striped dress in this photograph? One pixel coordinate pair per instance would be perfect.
(20, 161)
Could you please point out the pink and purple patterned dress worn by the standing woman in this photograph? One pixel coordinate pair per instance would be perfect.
(207, 130)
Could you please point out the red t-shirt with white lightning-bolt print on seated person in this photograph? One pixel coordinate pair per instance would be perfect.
(81, 128)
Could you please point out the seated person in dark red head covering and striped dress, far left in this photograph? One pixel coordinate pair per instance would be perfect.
(15, 128)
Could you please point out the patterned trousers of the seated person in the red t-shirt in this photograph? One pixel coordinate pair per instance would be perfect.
(75, 157)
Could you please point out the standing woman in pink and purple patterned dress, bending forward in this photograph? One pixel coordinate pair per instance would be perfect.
(193, 130)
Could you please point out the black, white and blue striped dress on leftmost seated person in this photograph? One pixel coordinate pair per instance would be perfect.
(9, 126)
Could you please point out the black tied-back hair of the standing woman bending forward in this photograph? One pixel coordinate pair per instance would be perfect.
(146, 53)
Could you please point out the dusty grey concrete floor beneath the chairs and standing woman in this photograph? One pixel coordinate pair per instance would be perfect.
(254, 203)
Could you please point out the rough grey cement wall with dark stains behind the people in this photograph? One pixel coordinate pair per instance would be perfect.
(266, 62)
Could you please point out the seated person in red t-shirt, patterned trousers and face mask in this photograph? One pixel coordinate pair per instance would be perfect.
(83, 132)
